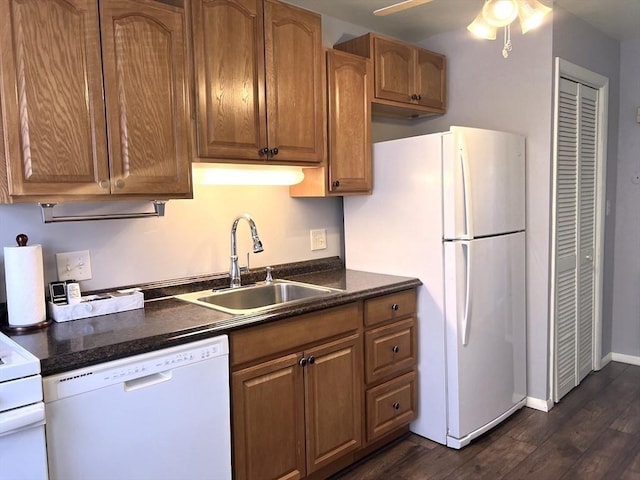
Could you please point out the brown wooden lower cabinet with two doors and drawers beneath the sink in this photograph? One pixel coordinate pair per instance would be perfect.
(299, 407)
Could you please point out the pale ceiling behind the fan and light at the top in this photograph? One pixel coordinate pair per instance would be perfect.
(619, 19)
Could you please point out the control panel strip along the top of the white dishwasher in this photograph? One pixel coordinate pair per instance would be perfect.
(133, 368)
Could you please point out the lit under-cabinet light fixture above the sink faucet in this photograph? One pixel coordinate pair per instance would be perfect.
(222, 174)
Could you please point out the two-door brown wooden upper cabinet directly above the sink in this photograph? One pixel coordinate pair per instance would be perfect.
(259, 82)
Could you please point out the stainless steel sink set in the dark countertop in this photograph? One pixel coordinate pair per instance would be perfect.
(257, 297)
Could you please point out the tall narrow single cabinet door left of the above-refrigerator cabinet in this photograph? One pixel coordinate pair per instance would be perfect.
(349, 80)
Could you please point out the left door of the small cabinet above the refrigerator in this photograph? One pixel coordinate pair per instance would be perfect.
(394, 65)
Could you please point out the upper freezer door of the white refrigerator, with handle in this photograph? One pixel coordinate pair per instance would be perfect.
(483, 183)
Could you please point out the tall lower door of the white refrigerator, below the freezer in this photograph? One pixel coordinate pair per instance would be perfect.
(485, 320)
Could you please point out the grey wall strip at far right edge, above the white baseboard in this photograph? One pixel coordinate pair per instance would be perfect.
(626, 280)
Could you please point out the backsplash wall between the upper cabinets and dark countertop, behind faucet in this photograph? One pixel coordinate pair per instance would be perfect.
(192, 239)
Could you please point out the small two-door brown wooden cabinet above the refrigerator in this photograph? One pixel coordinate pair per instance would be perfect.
(408, 81)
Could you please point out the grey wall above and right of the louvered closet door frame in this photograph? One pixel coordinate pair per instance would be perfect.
(581, 44)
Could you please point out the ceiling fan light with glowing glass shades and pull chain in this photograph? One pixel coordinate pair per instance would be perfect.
(501, 13)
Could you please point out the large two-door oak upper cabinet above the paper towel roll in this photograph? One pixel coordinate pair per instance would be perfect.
(65, 140)
